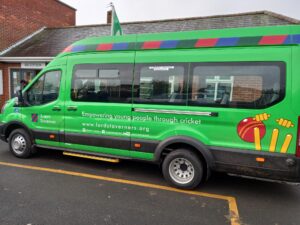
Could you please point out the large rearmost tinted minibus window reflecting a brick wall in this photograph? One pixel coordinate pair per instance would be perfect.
(241, 85)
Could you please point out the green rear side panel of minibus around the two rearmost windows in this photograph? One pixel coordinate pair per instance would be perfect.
(211, 130)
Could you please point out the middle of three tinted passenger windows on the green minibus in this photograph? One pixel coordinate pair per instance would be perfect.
(161, 84)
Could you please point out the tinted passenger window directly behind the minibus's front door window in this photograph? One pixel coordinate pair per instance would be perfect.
(102, 83)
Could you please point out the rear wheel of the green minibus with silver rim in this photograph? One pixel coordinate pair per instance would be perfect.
(183, 169)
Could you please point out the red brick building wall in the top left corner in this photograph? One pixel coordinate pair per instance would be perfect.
(20, 18)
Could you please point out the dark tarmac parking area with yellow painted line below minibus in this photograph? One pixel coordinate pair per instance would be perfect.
(81, 191)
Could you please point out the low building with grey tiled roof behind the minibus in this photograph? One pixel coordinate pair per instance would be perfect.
(26, 57)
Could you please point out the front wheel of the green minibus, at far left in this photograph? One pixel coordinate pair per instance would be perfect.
(20, 143)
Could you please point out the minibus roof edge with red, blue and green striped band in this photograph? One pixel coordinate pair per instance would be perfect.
(254, 36)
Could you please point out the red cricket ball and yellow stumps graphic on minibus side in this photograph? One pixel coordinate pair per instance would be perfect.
(253, 129)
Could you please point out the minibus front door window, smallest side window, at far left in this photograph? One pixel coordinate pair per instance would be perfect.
(45, 89)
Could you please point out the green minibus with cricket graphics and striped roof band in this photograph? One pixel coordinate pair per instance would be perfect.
(192, 102)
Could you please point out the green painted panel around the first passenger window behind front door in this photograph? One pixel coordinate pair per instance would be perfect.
(91, 120)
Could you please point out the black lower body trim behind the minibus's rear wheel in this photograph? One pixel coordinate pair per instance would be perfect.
(280, 167)
